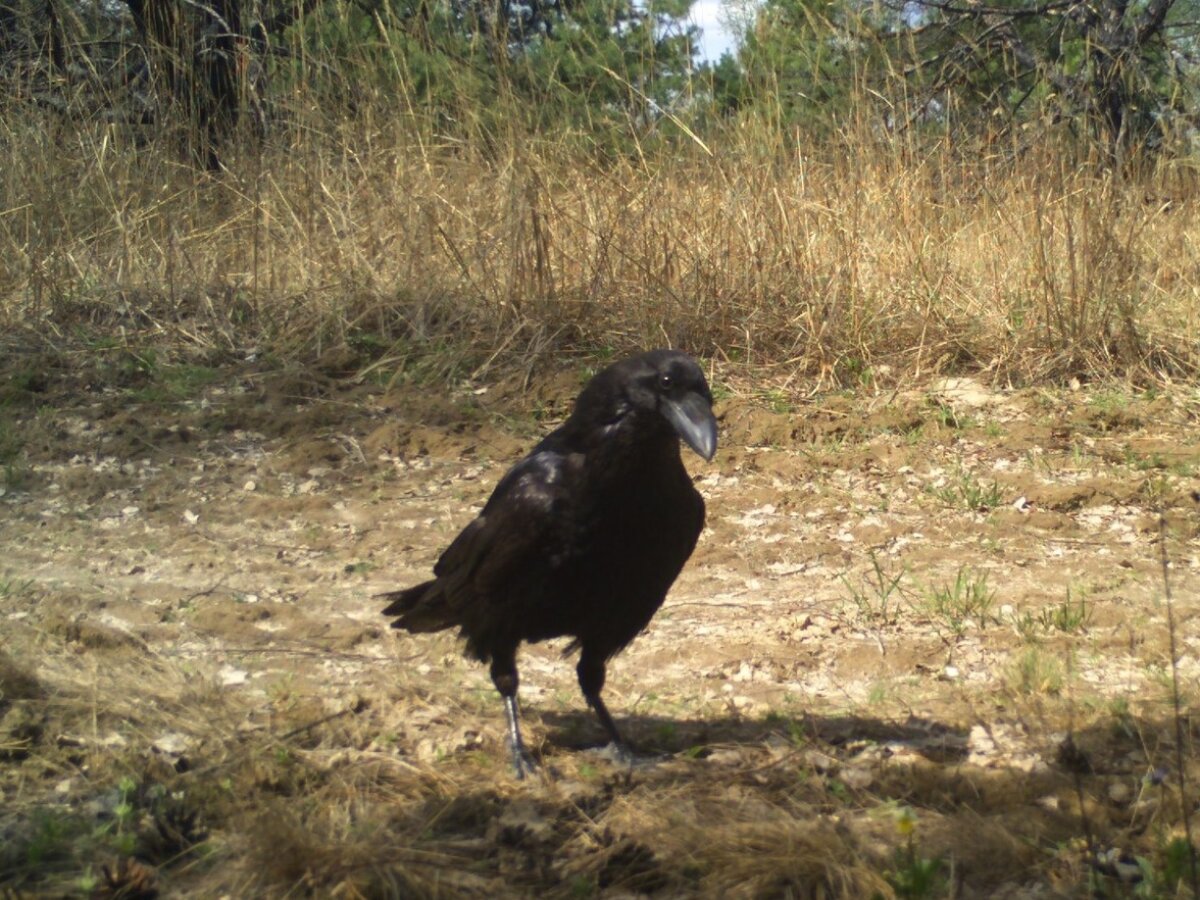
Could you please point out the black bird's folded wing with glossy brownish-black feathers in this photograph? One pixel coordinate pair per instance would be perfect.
(523, 532)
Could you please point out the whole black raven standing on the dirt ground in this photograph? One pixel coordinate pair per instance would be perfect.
(583, 538)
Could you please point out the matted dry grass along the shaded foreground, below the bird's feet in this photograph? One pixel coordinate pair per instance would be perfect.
(307, 803)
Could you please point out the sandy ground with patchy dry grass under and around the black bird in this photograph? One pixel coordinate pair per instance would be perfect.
(922, 650)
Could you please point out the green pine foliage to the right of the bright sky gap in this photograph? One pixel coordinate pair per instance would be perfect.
(1119, 75)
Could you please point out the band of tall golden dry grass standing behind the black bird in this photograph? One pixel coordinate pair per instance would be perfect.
(861, 256)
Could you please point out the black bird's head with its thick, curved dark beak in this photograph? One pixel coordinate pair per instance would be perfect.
(663, 383)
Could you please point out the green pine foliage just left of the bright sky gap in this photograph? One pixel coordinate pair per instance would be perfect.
(597, 69)
